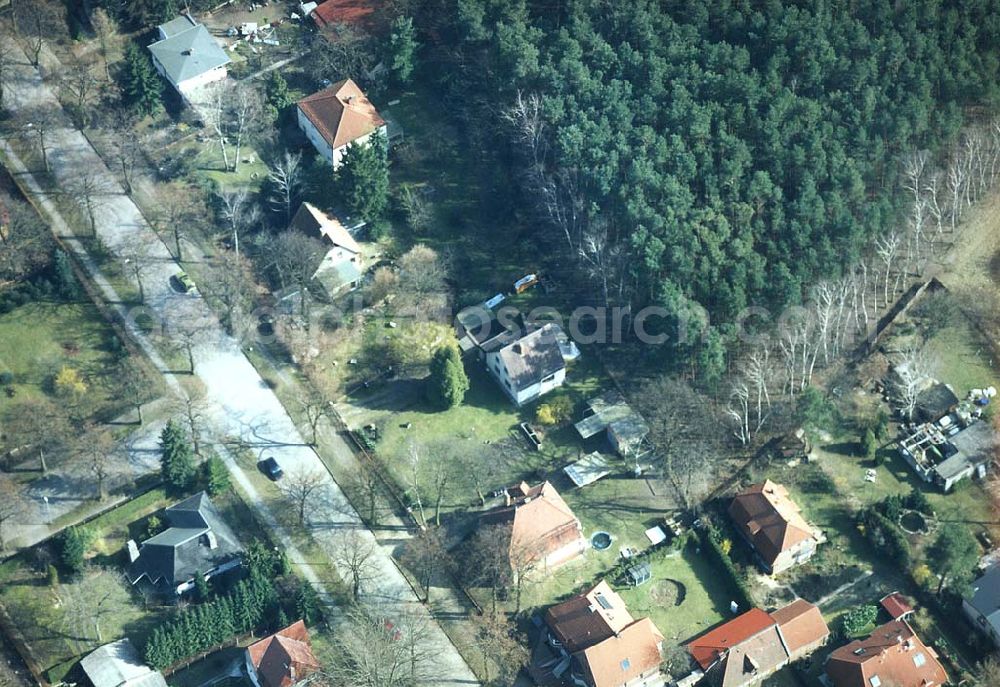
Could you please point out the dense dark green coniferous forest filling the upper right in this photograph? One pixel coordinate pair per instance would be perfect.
(729, 153)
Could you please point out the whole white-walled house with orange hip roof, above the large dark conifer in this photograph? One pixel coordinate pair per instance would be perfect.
(337, 117)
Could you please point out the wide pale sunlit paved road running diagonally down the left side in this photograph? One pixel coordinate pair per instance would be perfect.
(239, 403)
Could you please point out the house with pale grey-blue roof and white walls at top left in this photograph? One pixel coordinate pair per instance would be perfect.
(187, 56)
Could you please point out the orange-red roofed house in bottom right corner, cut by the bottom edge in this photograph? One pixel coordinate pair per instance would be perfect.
(892, 656)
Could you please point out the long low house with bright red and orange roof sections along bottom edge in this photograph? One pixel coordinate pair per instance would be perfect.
(756, 644)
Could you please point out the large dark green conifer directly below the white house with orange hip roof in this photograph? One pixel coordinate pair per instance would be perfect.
(363, 178)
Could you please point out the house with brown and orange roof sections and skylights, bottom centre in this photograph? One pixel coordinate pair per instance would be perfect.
(595, 642)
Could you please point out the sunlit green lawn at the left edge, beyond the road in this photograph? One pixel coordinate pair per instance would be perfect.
(39, 338)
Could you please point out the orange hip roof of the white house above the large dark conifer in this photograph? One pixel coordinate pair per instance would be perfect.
(341, 113)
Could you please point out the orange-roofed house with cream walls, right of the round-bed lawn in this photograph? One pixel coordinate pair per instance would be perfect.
(773, 525)
